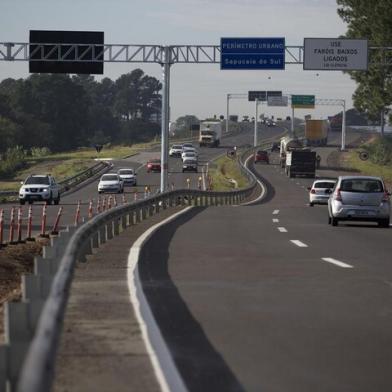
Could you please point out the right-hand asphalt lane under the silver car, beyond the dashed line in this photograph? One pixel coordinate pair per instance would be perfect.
(362, 245)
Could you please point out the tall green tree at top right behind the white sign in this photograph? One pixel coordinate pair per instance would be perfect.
(371, 20)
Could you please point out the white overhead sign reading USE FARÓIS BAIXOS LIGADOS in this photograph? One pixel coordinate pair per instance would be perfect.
(335, 54)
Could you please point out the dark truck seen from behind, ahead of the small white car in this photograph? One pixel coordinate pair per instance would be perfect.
(301, 163)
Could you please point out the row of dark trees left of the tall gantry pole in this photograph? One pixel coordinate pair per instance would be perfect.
(63, 112)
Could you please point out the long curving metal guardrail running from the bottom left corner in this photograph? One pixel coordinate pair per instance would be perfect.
(33, 326)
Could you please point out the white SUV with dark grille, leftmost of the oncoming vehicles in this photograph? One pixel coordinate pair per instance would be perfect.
(39, 188)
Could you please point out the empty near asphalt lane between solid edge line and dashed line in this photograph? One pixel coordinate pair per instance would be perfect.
(265, 305)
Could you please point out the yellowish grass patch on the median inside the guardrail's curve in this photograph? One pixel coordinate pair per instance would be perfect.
(223, 169)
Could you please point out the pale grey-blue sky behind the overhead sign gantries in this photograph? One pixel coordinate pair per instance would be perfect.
(198, 89)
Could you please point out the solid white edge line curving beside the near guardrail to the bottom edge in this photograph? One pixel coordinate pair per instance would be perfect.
(163, 364)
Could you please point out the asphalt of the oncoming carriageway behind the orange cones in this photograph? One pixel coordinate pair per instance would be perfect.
(152, 180)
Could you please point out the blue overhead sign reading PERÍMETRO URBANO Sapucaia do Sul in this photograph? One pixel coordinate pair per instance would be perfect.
(252, 53)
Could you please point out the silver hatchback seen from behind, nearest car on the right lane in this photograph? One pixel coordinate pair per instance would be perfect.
(359, 198)
